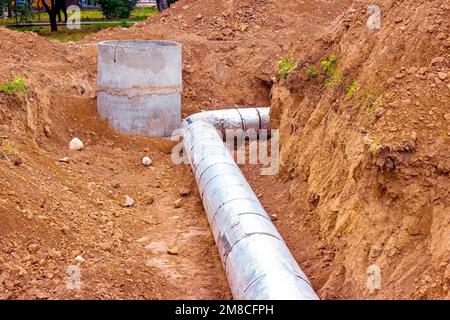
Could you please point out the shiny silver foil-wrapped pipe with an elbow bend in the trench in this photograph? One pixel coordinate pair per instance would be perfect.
(257, 262)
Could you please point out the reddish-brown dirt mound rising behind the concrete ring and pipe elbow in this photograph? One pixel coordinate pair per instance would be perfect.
(231, 48)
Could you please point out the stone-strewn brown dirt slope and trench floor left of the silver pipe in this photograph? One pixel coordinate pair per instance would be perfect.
(63, 209)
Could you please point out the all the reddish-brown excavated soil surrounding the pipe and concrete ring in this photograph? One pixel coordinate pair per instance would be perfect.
(361, 184)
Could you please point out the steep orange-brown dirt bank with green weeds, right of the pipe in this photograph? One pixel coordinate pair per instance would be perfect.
(367, 149)
